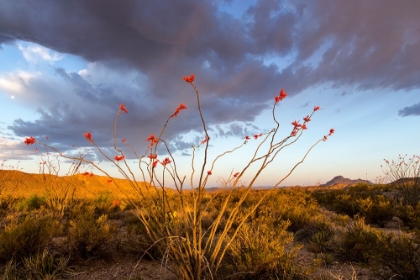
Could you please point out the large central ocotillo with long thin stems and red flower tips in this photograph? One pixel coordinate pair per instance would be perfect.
(173, 217)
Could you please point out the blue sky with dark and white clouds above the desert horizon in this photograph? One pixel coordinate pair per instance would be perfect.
(66, 66)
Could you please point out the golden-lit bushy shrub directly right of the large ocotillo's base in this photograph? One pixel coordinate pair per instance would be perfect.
(259, 252)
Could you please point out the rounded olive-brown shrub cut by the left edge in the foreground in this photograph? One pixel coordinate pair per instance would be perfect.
(25, 236)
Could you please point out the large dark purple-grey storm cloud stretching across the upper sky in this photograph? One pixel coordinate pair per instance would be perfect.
(362, 44)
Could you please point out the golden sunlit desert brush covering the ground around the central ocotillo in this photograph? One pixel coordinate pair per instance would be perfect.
(297, 233)
